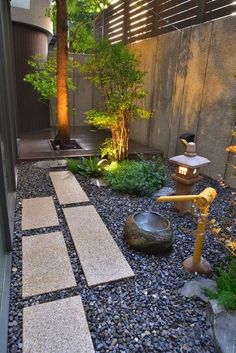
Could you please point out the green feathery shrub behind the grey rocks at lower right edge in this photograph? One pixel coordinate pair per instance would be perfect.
(226, 286)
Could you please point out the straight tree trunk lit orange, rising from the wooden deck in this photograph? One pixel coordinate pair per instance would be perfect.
(62, 61)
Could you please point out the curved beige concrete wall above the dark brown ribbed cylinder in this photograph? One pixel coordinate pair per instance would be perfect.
(34, 16)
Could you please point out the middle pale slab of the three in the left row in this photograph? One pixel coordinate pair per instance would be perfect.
(46, 264)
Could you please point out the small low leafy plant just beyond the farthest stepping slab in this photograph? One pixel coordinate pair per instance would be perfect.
(91, 166)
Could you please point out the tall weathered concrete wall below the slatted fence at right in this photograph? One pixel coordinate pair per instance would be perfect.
(191, 88)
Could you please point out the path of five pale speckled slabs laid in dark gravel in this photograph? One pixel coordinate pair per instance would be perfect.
(60, 326)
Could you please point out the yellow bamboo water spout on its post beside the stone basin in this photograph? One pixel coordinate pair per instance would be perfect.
(196, 263)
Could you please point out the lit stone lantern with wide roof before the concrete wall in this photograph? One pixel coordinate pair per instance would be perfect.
(187, 174)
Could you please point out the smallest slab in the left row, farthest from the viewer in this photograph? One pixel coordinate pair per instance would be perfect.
(38, 212)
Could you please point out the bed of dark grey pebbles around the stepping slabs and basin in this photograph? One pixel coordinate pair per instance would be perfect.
(145, 314)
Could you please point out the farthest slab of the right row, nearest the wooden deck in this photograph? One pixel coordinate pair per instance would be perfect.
(67, 188)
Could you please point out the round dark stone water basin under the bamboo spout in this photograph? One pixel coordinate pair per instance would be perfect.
(149, 232)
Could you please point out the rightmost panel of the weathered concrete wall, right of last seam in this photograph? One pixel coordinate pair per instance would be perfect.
(217, 115)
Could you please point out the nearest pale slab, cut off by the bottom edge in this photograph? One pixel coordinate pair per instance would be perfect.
(56, 327)
